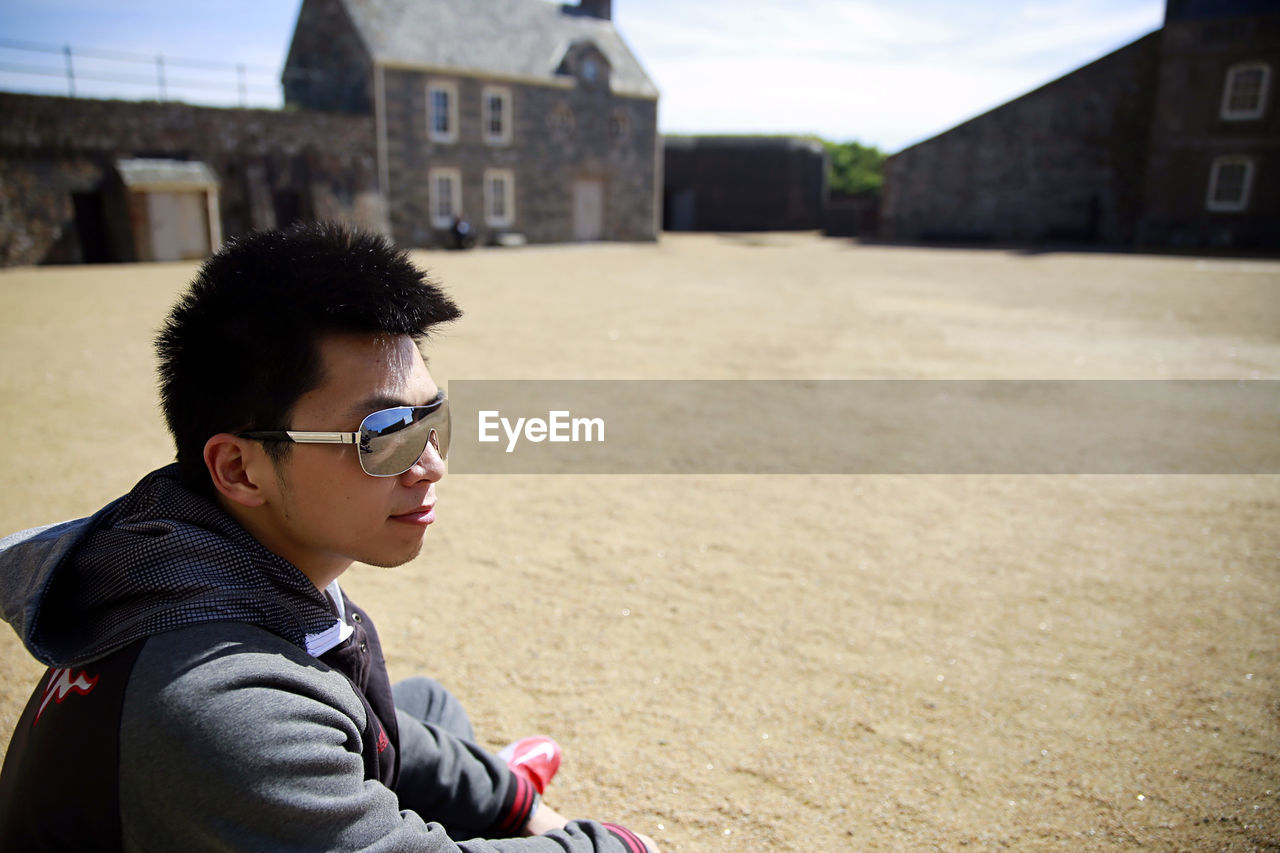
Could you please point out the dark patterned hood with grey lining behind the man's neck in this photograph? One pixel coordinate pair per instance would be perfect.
(158, 559)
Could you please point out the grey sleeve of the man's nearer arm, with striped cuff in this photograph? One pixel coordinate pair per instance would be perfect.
(248, 743)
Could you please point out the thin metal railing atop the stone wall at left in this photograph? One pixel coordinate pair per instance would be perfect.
(93, 72)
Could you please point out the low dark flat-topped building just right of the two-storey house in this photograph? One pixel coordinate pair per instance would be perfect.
(743, 184)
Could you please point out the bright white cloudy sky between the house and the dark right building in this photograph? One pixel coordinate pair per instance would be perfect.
(888, 74)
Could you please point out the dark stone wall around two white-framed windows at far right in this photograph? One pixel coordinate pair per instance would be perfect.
(1188, 133)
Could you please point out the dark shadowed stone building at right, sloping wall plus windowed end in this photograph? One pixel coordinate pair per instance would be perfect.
(1172, 142)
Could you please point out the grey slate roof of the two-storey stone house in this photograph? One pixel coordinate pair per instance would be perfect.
(510, 39)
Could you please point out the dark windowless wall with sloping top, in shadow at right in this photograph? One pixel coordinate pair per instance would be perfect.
(1063, 163)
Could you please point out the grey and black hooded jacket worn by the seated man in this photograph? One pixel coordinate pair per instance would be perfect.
(203, 695)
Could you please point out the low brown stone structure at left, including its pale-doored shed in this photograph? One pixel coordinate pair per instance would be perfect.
(124, 181)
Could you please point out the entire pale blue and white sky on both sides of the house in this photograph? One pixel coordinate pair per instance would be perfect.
(881, 72)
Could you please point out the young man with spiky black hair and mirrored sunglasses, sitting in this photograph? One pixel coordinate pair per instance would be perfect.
(211, 686)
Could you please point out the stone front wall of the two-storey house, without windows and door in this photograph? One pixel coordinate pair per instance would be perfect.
(560, 135)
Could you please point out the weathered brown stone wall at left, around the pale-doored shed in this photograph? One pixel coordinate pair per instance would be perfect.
(58, 154)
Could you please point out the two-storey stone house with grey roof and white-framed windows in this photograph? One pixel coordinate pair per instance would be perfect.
(533, 120)
